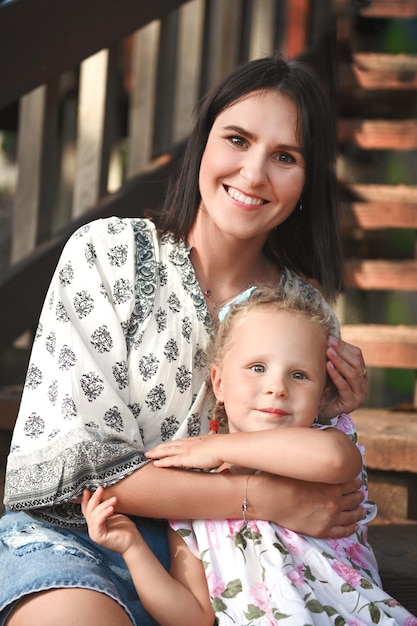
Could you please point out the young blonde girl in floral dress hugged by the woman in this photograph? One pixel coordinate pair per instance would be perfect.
(268, 375)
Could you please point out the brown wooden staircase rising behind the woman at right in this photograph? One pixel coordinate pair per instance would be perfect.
(377, 97)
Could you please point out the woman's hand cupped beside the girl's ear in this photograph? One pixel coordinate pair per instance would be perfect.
(346, 368)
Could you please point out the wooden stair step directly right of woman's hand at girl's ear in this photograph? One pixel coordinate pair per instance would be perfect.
(383, 345)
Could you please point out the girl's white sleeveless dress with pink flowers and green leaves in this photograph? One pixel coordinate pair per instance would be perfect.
(261, 574)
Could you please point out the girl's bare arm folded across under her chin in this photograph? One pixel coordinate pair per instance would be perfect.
(326, 455)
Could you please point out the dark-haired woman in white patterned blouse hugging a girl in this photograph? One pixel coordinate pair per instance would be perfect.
(119, 362)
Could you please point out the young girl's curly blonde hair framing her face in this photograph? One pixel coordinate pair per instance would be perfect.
(262, 296)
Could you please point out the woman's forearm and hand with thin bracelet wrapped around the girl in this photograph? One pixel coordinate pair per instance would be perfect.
(315, 509)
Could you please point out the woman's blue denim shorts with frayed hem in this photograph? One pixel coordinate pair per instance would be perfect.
(36, 556)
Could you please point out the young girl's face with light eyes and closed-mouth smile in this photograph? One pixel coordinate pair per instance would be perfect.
(273, 373)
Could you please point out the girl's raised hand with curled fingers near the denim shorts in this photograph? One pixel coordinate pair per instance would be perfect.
(109, 529)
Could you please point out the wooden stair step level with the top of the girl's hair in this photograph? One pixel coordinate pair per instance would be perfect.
(381, 274)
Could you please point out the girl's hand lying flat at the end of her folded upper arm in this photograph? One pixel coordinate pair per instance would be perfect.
(195, 452)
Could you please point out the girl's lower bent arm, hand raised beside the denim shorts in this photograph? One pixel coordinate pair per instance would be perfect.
(178, 597)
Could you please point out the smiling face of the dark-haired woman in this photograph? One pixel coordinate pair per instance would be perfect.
(252, 170)
